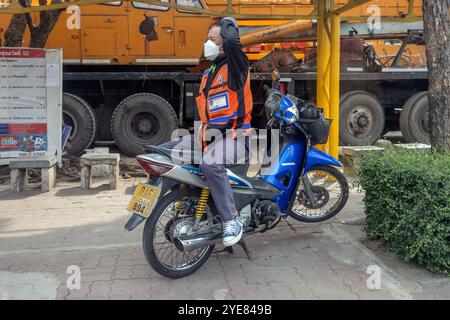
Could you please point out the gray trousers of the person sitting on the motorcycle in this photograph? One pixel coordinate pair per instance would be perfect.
(213, 165)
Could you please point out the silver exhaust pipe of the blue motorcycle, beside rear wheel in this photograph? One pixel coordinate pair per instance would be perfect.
(196, 241)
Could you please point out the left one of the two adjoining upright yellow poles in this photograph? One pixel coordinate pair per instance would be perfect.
(323, 60)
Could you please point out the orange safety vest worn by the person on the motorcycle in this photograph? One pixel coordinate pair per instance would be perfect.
(221, 104)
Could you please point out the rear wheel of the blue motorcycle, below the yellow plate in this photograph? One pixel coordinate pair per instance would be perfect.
(173, 216)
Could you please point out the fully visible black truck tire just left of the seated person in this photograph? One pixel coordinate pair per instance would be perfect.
(142, 119)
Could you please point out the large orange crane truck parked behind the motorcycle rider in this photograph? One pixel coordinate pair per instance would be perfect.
(132, 69)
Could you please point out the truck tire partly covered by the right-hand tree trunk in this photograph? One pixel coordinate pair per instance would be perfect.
(414, 119)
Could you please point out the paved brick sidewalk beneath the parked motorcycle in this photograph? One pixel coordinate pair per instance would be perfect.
(41, 235)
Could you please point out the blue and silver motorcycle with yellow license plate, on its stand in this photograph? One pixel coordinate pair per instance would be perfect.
(182, 226)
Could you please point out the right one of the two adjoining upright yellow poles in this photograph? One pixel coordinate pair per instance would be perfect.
(333, 140)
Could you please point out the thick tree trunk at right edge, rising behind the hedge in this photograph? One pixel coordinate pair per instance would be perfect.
(436, 15)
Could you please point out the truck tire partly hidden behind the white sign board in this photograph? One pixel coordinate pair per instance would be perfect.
(78, 114)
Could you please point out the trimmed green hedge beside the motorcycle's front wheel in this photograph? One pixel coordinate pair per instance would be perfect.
(407, 203)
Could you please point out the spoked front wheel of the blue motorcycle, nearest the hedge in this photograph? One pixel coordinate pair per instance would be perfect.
(330, 189)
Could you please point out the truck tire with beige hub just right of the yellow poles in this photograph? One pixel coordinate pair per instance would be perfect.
(361, 119)
